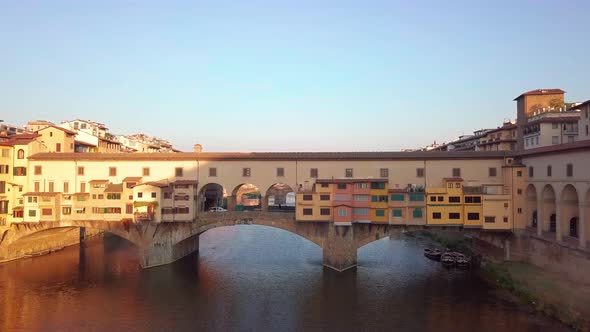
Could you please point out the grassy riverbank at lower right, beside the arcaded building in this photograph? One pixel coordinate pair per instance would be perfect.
(540, 290)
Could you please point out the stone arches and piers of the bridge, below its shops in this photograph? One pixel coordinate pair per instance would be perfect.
(166, 242)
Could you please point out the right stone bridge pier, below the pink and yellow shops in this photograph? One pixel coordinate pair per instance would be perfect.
(340, 248)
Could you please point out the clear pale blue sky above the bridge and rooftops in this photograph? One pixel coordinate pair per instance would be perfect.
(297, 76)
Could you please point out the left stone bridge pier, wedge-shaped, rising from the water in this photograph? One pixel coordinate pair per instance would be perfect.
(165, 252)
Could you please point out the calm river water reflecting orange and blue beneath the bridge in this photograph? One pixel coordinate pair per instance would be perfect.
(252, 278)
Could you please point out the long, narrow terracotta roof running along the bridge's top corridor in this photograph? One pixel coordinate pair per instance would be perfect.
(283, 156)
